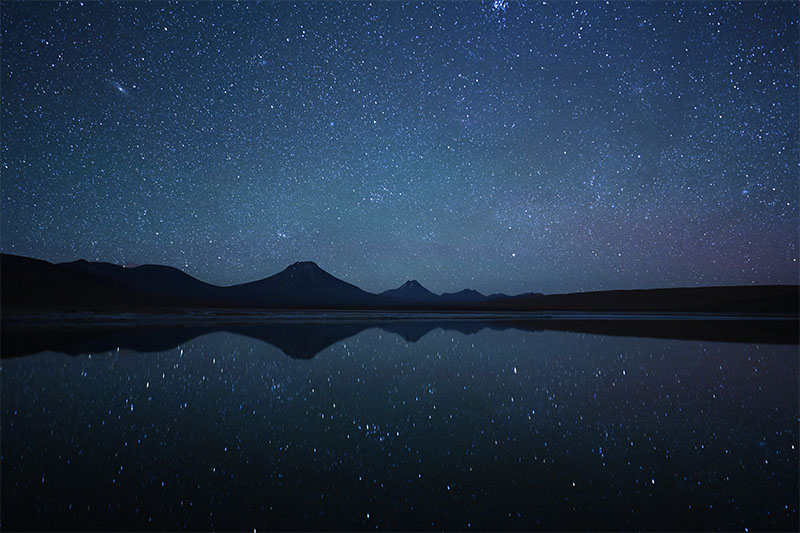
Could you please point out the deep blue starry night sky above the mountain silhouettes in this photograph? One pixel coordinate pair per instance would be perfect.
(501, 146)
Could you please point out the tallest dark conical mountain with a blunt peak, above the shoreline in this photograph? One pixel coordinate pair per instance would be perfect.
(302, 284)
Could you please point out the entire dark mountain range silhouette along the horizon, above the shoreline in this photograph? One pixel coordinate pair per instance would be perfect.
(32, 283)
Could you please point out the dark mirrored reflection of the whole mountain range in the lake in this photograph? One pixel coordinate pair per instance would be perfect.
(305, 339)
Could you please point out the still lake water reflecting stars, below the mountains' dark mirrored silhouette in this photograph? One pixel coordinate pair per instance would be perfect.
(499, 430)
